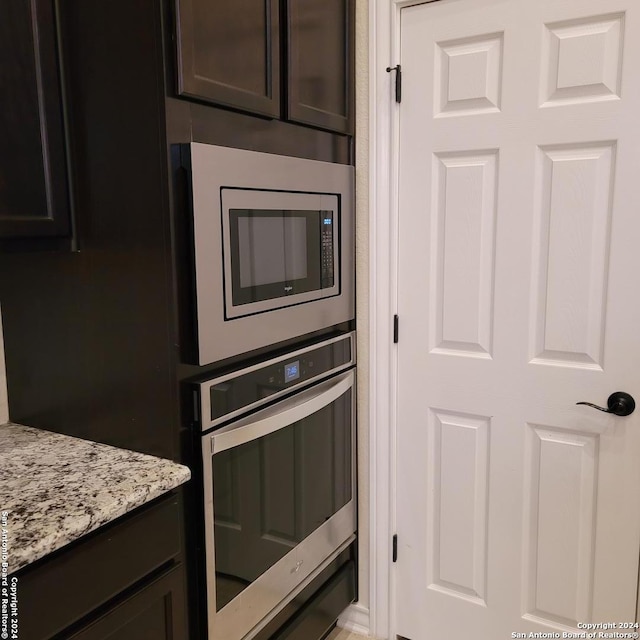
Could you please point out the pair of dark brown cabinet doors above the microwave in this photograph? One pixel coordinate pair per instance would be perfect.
(230, 53)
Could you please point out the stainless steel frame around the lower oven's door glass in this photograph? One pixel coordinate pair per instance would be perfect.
(262, 600)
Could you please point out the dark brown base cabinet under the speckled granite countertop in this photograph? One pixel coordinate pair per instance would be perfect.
(125, 581)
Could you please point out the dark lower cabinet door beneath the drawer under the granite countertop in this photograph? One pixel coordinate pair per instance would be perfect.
(155, 612)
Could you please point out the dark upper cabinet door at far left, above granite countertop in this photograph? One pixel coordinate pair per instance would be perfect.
(34, 195)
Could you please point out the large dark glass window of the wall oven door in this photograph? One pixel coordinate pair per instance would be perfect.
(271, 493)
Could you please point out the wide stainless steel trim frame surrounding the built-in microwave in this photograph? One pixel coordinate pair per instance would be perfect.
(214, 168)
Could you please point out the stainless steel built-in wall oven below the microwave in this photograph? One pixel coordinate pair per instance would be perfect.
(278, 445)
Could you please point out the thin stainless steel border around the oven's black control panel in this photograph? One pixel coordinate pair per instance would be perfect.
(205, 387)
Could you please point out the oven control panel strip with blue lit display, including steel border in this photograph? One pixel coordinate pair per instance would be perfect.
(234, 394)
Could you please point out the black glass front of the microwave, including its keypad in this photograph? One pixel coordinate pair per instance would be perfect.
(278, 253)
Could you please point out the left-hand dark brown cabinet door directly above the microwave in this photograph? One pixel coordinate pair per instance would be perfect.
(229, 53)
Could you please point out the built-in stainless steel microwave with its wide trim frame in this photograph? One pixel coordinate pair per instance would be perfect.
(273, 240)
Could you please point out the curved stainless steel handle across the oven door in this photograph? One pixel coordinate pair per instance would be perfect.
(282, 414)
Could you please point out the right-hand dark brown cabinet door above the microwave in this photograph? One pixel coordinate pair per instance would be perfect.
(321, 59)
